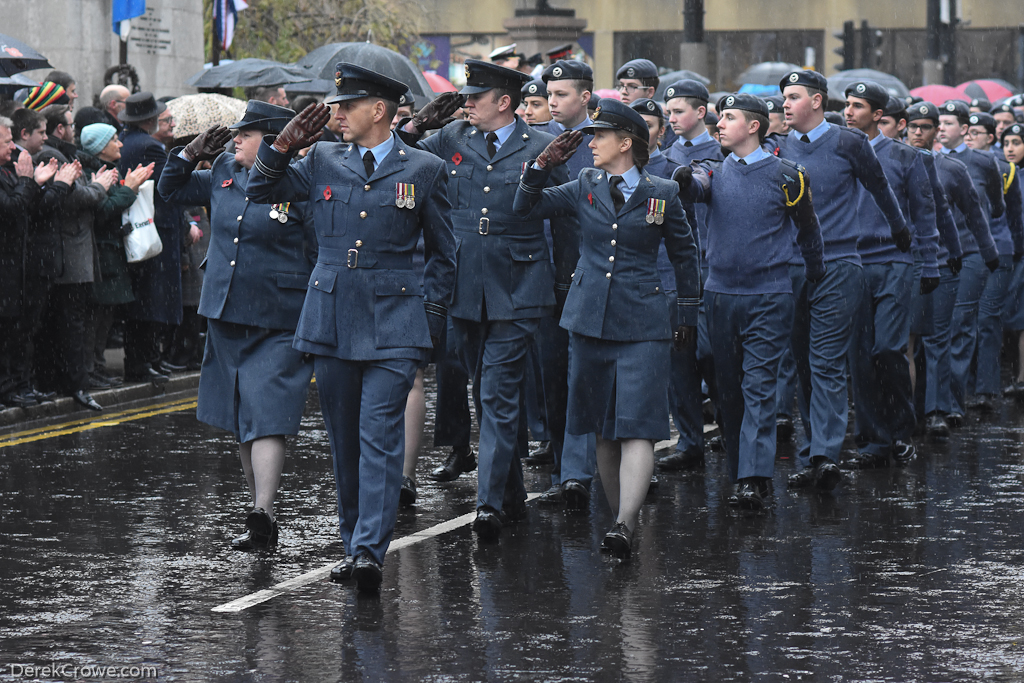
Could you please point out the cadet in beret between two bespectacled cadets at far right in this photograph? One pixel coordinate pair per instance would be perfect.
(954, 122)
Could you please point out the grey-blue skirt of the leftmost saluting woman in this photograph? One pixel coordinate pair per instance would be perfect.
(253, 385)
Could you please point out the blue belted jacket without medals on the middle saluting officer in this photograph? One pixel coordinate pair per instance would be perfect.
(503, 258)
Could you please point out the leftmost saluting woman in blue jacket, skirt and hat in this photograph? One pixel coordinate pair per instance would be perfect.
(260, 260)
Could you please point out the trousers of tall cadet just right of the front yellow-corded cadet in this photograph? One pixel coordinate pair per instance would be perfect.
(822, 331)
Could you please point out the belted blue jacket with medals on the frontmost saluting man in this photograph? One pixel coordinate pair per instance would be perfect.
(365, 301)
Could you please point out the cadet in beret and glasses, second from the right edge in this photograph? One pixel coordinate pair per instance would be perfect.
(1008, 232)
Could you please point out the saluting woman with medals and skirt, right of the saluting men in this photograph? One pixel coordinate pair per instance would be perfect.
(617, 311)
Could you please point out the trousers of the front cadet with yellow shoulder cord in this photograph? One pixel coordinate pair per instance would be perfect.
(750, 334)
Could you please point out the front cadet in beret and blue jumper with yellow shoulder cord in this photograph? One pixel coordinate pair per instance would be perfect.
(752, 197)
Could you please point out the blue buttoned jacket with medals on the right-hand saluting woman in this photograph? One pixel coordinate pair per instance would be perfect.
(617, 293)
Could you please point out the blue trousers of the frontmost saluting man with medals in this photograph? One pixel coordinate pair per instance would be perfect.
(364, 406)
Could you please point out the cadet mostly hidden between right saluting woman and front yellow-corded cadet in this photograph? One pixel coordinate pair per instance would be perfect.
(687, 106)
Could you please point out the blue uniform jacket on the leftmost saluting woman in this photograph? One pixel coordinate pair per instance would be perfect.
(257, 268)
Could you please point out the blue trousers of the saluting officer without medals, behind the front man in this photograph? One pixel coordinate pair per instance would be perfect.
(495, 352)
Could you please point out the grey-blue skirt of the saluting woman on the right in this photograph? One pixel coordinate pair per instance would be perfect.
(619, 390)
